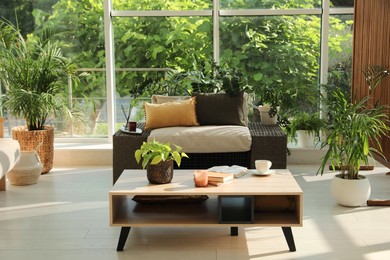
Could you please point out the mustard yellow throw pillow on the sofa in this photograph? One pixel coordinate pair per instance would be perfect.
(180, 113)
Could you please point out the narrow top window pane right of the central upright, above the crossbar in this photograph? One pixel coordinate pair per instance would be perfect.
(268, 4)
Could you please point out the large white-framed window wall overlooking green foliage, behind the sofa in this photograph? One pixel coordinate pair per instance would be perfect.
(274, 42)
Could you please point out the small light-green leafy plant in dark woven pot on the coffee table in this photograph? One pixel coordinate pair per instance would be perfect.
(158, 160)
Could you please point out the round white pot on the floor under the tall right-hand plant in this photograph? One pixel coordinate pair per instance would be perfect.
(351, 193)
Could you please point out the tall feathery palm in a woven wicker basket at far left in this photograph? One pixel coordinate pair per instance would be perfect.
(34, 73)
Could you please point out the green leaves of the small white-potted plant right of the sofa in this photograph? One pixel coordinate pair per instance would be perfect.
(305, 121)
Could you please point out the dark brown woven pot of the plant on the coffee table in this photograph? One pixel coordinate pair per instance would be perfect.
(160, 173)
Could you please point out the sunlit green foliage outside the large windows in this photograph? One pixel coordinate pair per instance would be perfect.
(274, 52)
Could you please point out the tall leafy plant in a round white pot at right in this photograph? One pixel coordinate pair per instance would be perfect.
(354, 131)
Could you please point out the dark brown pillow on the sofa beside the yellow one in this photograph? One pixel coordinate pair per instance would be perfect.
(219, 109)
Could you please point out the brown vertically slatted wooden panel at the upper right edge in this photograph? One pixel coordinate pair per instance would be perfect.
(372, 46)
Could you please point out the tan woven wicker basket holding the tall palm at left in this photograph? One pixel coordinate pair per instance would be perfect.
(30, 140)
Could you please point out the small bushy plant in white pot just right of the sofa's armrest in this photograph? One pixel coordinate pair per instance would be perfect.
(305, 127)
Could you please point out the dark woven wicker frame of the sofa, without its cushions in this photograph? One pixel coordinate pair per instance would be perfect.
(268, 142)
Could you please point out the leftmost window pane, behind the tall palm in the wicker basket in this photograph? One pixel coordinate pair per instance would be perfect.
(81, 35)
